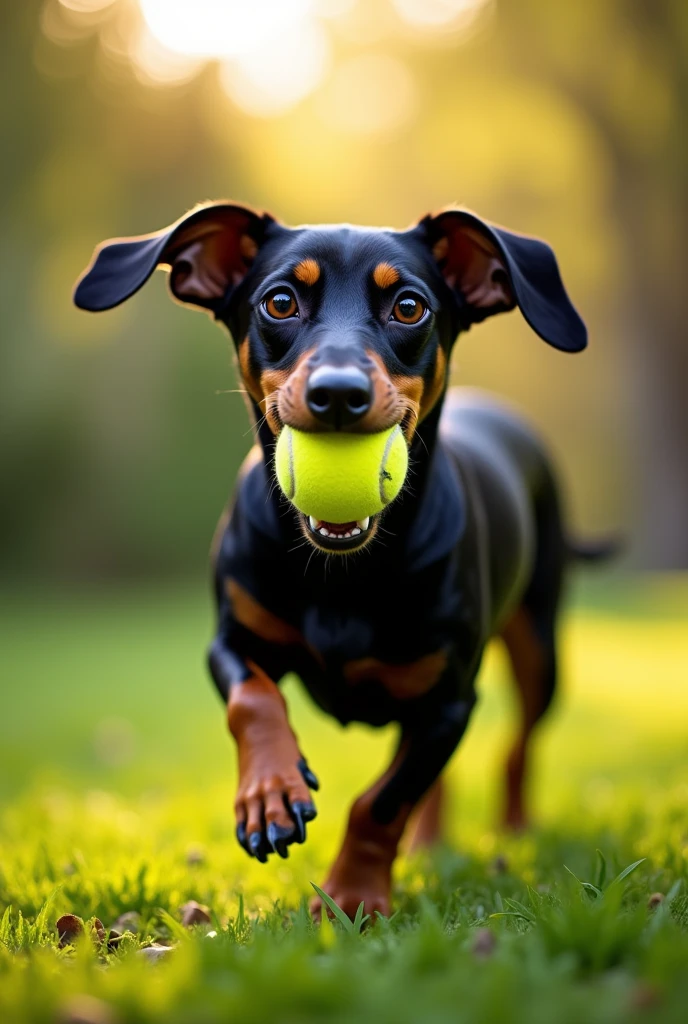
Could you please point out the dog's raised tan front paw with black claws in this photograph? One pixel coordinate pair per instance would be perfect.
(273, 810)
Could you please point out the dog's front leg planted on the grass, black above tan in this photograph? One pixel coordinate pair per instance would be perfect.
(363, 871)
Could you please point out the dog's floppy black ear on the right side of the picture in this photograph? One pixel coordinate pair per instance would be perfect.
(494, 270)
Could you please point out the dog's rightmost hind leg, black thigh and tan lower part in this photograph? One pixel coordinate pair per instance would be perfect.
(530, 636)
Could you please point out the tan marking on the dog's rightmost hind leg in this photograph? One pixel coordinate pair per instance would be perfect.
(528, 660)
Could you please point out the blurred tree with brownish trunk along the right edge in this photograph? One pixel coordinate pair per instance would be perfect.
(625, 65)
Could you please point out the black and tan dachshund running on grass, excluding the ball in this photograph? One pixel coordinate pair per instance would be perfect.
(342, 328)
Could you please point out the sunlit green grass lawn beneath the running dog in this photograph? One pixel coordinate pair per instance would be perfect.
(117, 783)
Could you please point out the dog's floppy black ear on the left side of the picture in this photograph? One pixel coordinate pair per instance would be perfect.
(206, 252)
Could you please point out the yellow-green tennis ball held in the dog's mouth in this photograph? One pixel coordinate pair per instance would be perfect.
(341, 478)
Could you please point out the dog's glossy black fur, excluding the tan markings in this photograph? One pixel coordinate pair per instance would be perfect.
(477, 532)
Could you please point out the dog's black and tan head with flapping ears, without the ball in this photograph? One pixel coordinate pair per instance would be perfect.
(342, 328)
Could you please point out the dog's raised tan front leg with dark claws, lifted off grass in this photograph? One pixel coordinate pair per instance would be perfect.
(274, 802)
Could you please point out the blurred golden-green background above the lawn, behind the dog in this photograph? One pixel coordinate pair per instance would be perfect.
(120, 437)
